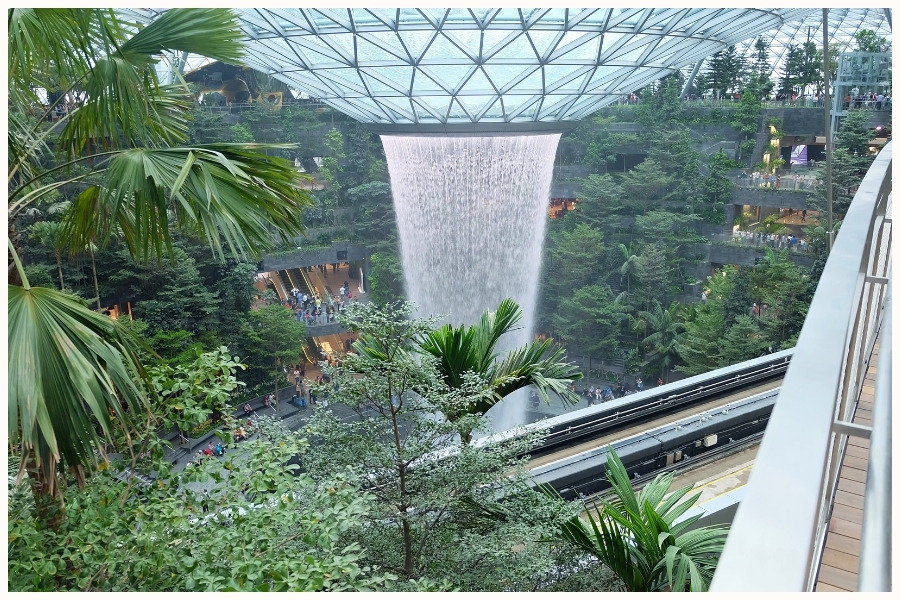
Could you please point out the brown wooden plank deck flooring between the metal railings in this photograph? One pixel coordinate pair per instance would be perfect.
(839, 569)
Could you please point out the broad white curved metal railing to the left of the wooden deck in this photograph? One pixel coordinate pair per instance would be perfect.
(777, 535)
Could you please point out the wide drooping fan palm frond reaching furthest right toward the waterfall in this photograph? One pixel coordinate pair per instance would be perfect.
(229, 192)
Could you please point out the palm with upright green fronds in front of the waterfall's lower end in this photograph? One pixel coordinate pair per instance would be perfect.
(473, 349)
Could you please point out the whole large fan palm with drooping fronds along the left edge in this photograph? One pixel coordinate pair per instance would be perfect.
(73, 372)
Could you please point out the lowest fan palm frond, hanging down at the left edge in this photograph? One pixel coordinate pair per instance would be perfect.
(71, 372)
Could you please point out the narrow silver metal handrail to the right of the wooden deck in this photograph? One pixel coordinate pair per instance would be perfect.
(875, 551)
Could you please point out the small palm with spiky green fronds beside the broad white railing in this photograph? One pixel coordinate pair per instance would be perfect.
(638, 538)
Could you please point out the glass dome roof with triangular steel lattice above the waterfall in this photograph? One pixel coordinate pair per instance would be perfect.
(507, 65)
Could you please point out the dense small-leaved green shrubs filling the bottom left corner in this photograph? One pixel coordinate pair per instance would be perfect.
(254, 524)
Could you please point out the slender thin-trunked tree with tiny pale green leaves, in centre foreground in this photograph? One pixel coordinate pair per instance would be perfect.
(422, 479)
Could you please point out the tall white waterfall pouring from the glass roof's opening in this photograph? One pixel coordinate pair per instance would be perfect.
(471, 212)
